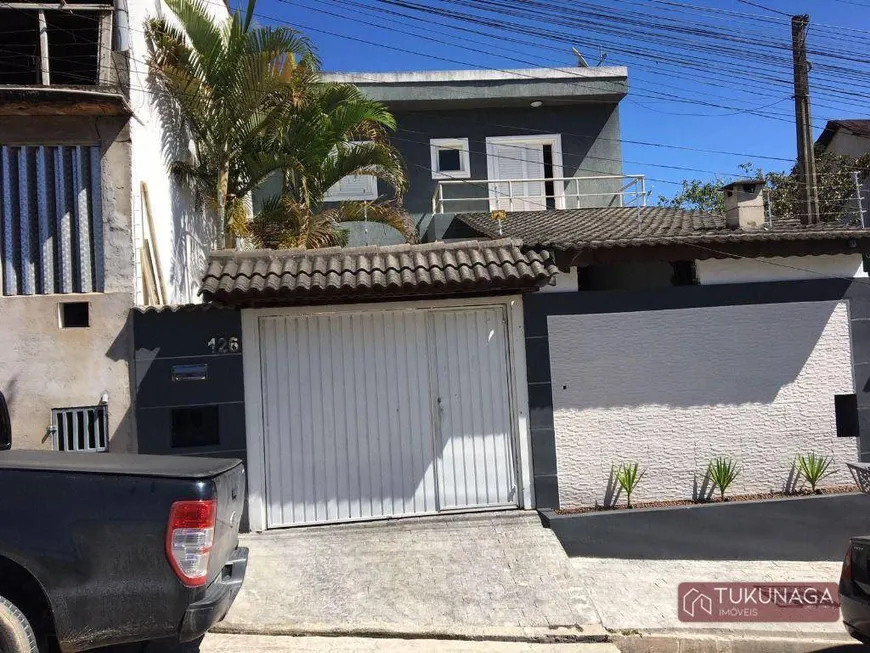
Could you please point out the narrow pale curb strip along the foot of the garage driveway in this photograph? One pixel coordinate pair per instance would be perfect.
(592, 633)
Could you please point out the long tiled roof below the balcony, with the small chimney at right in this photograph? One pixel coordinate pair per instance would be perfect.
(578, 230)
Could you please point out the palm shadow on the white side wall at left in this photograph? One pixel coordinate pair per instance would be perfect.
(194, 224)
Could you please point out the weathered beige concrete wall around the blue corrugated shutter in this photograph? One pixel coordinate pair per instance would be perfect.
(44, 366)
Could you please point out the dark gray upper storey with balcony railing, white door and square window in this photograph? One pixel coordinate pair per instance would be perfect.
(480, 140)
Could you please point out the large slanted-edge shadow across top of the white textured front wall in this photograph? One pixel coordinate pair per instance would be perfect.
(683, 358)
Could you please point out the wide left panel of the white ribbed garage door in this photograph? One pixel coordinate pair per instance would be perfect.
(346, 435)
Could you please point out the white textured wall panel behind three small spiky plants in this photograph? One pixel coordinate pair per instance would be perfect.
(671, 389)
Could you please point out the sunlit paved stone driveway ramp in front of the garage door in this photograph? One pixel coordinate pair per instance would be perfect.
(462, 575)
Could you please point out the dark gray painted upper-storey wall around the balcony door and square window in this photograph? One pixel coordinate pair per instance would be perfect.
(590, 146)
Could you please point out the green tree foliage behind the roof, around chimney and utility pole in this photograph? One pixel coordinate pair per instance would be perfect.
(834, 174)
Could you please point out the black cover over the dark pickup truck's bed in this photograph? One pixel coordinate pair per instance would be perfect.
(184, 467)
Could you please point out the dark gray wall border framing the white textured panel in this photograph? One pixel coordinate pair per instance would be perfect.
(538, 307)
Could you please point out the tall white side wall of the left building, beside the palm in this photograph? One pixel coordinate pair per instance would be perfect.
(185, 235)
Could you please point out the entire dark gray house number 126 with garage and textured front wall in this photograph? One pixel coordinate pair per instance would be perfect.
(389, 380)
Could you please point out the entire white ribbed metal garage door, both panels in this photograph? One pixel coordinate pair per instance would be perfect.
(384, 413)
